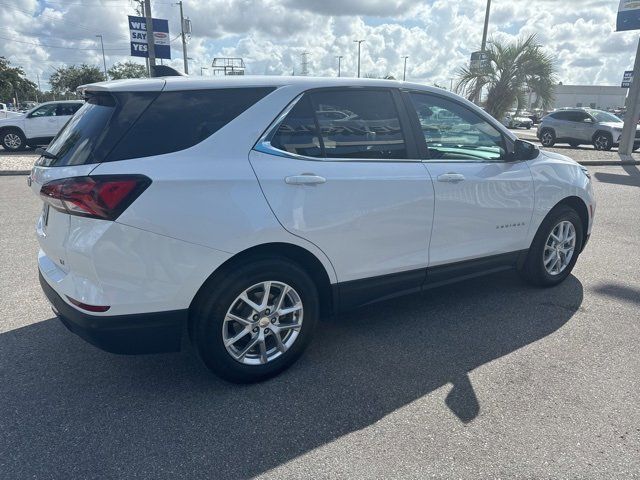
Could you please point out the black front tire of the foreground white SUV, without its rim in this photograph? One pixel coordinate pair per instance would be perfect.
(533, 269)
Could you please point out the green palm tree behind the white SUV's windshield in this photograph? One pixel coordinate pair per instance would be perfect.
(512, 70)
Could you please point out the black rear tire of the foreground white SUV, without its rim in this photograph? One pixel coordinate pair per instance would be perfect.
(220, 294)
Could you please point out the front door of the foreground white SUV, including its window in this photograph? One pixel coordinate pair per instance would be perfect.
(483, 204)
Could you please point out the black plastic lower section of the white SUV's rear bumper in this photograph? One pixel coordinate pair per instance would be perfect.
(123, 334)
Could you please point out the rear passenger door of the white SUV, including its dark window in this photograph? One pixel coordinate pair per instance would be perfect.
(355, 190)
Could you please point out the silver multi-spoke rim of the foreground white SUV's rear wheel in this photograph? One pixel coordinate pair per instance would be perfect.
(262, 323)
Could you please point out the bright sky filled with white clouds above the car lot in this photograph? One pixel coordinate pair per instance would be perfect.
(270, 35)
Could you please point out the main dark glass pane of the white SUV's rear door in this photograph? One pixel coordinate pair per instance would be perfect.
(359, 124)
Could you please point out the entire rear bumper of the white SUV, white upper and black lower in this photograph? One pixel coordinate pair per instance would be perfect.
(125, 273)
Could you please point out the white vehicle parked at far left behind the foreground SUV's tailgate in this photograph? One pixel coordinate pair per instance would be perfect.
(38, 126)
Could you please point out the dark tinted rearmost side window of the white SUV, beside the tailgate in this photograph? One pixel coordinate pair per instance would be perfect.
(178, 120)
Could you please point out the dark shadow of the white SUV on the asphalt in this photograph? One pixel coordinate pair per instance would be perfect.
(69, 410)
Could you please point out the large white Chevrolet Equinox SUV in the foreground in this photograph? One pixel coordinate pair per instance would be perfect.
(238, 211)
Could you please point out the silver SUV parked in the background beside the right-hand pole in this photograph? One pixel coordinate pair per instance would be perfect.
(580, 126)
